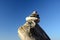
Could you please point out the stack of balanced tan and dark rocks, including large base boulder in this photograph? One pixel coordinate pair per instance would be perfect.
(31, 30)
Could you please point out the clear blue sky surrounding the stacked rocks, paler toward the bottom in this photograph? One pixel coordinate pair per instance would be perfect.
(13, 13)
